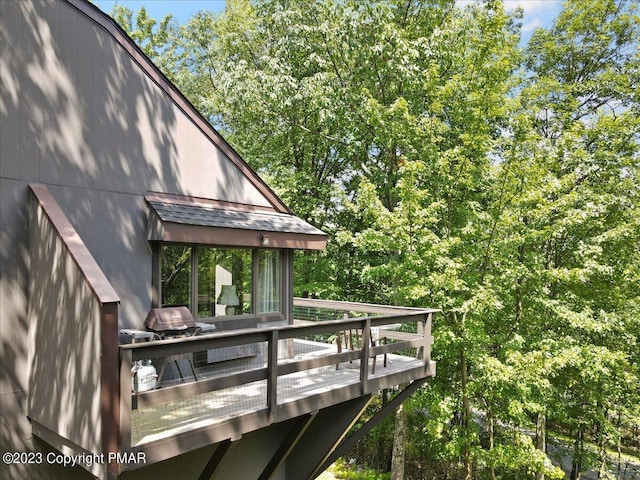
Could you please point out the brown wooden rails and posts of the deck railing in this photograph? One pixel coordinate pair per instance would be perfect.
(278, 358)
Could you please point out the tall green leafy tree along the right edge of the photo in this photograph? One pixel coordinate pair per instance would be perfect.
(582, 99)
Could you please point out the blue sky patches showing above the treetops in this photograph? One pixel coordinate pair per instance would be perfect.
(537, 13)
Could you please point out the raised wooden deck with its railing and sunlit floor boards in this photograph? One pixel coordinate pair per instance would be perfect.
(294, 369)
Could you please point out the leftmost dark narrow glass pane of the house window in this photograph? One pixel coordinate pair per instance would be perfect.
(176, 275)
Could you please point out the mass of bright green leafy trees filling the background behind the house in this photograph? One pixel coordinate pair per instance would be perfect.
(452, 169)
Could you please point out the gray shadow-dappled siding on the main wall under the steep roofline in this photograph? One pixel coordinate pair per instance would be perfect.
(79, 116)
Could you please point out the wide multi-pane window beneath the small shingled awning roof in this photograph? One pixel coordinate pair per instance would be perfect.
(221, 281)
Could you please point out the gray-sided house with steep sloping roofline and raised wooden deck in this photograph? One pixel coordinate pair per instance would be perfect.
(148, 327)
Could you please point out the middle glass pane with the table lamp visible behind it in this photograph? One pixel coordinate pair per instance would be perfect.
(224, 281)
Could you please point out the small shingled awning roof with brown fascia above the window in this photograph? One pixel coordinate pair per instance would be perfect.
(192, 220)
